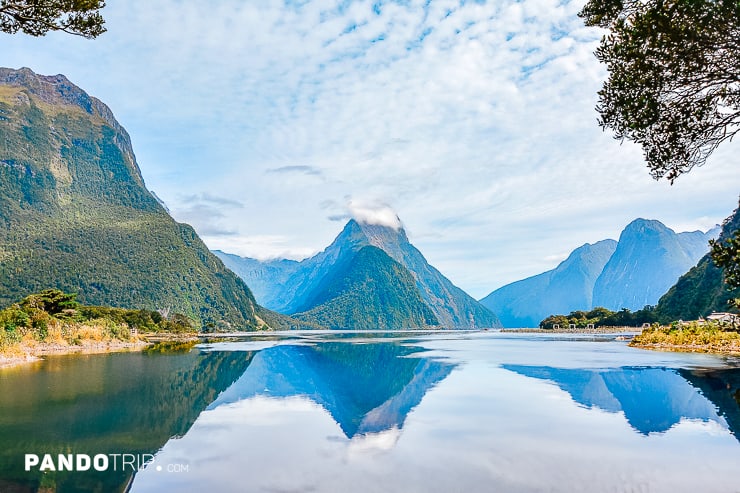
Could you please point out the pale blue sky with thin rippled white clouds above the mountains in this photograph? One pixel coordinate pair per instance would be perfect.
(266, 124)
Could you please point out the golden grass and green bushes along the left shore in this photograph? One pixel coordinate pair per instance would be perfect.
(53, 322)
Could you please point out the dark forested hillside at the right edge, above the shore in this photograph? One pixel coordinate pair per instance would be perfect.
(702, 289)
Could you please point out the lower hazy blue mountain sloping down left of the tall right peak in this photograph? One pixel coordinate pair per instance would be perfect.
(566, 288)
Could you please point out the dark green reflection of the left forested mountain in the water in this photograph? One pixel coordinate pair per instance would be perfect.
(103, 404)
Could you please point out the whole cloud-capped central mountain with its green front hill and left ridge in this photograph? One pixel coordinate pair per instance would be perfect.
(371, 276)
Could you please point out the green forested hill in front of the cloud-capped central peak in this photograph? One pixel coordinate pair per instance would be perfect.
(370, 291)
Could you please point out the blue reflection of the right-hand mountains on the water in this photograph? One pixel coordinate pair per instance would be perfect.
(653, 400)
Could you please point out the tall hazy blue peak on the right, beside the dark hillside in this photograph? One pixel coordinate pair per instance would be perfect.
(648, 260)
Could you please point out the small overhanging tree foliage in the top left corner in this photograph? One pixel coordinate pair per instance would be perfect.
(37, 17)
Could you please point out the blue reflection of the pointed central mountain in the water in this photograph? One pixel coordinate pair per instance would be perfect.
(367, 388)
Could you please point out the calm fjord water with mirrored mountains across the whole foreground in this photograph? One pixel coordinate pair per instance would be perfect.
(463, 411)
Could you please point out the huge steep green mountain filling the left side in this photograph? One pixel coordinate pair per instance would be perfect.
(75, 213)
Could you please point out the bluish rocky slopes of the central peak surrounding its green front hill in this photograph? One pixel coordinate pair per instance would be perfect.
(302, 288)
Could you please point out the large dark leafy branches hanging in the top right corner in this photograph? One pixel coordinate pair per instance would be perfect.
(674, 77)
